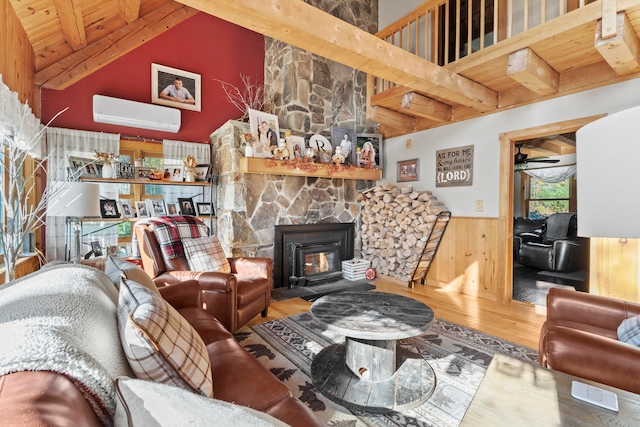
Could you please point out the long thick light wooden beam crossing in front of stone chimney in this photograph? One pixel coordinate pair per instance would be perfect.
(306, 27)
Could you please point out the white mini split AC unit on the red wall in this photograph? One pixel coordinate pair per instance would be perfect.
(115, 111)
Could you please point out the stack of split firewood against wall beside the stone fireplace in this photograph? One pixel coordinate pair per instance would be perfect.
(396, 222)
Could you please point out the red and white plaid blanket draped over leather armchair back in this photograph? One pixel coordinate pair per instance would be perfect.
(170, 230)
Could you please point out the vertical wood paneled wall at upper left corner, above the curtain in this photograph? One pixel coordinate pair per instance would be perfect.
(17, 62)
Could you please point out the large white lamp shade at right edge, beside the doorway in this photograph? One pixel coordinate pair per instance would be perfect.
(607, 155)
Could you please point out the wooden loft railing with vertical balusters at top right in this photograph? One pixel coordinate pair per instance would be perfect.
(443, 31)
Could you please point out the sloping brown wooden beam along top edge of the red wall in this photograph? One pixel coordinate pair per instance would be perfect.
(80, 64)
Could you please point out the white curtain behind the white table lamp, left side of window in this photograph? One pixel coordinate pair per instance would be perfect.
(62, 143)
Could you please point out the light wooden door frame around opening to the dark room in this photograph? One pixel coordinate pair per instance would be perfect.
(508, 141)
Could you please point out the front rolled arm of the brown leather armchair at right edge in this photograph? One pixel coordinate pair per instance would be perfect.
(600, 359)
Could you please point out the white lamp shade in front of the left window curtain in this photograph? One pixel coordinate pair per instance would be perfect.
(74, 199)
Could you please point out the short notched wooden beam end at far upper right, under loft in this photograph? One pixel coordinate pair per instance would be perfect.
(622, 50)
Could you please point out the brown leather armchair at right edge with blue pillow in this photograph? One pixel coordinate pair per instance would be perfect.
(580, 338)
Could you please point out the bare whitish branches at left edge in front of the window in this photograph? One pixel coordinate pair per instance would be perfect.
(23, 206)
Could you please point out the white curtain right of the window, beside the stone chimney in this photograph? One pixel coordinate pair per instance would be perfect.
(174, 153)
